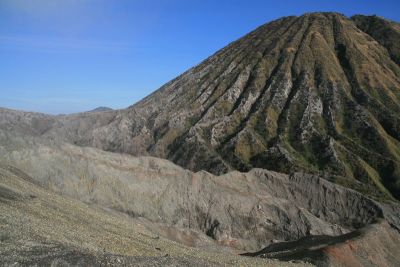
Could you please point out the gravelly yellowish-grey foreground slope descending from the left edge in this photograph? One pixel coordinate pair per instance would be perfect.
(54, 230)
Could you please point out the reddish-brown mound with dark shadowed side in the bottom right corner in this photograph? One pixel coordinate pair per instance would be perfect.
(376, 245)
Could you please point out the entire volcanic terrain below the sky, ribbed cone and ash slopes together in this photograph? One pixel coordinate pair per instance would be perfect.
(275, 114)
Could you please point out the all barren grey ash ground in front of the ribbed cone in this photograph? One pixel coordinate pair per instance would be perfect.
(212, 216)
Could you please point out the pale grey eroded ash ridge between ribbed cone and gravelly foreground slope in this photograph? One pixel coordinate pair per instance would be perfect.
(241, 210)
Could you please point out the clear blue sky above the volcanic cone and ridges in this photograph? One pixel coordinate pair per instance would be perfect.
(64, 56)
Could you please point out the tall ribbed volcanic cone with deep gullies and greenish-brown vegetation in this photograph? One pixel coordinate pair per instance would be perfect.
(318, 93)
